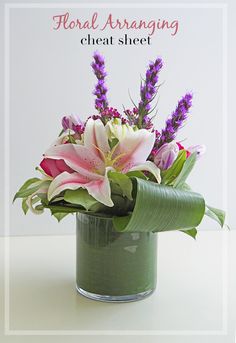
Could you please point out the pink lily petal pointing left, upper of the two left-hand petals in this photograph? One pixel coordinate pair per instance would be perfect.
(79, 158)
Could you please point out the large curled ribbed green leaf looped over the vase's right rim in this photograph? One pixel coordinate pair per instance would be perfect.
(162, 208)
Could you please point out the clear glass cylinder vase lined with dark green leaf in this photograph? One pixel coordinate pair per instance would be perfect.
(114, 266)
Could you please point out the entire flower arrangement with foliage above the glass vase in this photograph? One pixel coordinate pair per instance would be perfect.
(118, 165)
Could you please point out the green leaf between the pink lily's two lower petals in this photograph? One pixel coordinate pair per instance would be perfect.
(80, 197)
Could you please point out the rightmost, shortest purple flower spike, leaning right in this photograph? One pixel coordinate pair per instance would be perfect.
(176, 120)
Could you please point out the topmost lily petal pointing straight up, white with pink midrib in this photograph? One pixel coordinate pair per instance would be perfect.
(95, 137)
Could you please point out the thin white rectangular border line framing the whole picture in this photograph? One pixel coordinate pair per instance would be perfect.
(7, 330)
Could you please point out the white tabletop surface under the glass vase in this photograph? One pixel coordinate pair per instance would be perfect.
(190, 299)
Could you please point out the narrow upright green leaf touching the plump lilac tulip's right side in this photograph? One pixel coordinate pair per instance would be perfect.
(168, 176)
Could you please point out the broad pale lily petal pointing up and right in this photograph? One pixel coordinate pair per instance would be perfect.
(133, 150)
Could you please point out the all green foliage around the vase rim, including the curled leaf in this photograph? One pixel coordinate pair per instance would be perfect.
(139, 204)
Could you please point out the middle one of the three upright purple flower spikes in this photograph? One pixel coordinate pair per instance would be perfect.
(149, 88)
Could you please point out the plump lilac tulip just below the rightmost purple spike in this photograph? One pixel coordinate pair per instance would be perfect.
(166, 155)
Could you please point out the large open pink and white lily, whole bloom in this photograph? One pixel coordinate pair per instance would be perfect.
(92, 161)
